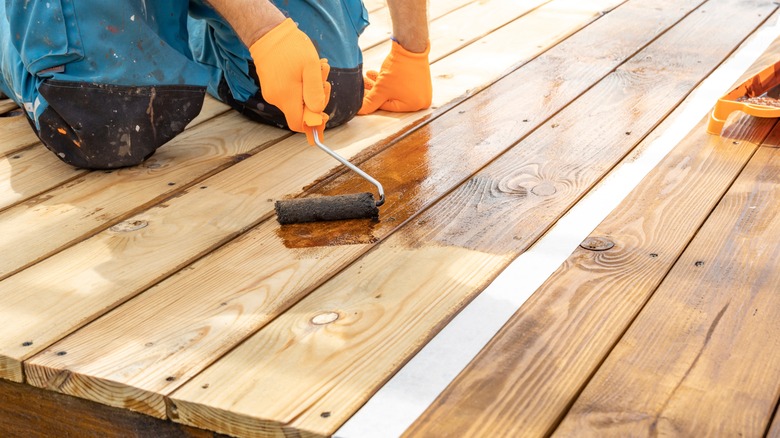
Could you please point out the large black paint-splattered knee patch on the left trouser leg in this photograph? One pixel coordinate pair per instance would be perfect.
(95, 126)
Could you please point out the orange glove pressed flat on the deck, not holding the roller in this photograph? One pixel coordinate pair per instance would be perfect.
(403, 84)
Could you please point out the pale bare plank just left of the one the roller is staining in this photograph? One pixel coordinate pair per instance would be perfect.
(111, 267)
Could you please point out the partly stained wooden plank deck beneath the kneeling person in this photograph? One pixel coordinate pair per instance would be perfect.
(165, 300)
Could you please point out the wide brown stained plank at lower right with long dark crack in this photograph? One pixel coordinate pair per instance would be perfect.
(690, 364)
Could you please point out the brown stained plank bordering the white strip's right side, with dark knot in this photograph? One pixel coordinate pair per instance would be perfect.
(594, 296)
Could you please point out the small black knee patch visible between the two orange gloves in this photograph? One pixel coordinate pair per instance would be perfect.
(346, 94)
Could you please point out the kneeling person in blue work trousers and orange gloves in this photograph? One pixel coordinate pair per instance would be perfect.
(105, 84)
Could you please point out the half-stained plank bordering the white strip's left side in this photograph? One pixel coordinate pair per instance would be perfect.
(383, 302)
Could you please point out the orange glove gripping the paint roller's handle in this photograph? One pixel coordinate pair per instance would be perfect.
(293, 77)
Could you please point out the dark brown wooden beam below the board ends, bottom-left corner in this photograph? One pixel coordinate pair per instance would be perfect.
(26, 411)
